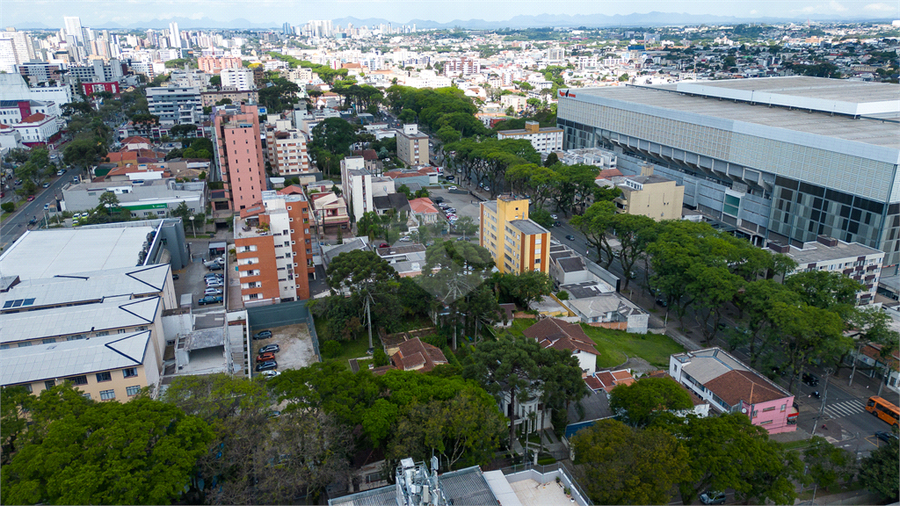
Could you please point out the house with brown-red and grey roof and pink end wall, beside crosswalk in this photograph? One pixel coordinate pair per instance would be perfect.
(730, 386)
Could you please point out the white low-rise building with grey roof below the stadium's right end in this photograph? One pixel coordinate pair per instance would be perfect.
(856, 261)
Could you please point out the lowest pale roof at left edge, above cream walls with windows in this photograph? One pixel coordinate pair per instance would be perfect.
(72, 358)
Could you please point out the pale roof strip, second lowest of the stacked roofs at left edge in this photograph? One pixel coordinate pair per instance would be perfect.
(113, 313)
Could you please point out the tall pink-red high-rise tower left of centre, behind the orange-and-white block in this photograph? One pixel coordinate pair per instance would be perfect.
(239, 154)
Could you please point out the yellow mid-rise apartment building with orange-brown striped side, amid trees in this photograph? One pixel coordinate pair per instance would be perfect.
(516, 243)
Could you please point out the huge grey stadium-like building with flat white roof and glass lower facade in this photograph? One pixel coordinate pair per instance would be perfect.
(777, 159)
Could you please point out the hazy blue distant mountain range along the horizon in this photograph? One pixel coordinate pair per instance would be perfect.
(517, 22)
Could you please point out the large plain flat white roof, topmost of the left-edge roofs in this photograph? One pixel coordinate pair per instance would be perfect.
(48, 253)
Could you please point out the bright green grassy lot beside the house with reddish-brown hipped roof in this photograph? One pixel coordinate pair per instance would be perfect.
(614, 345)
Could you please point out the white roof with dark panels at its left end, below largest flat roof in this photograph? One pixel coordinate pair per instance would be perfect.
(86, 287)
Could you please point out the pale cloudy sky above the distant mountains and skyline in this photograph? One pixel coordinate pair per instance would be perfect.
(276, 12)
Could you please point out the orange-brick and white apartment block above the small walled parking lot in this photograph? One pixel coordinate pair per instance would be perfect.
(274, 248)
